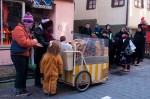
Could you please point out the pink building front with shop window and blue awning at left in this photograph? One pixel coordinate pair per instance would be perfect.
(61, 12)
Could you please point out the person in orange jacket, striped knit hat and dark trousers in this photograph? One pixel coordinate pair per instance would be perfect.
(21, 36)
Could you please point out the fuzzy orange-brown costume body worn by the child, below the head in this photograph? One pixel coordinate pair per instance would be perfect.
(51, 67)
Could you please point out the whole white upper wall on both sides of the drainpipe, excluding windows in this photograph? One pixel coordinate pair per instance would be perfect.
(105, 14)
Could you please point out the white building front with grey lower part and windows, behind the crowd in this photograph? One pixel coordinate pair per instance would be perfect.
(117, 13)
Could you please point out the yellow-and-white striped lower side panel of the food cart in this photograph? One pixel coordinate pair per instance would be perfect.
(98, 72)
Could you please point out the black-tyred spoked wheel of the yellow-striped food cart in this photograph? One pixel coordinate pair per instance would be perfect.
(82, 81)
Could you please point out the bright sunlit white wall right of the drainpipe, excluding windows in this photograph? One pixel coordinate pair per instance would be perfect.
(135, 14)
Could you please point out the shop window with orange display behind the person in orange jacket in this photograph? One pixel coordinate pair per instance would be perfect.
(11, 14)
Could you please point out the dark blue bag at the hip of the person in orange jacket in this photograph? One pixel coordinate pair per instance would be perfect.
(16, 48)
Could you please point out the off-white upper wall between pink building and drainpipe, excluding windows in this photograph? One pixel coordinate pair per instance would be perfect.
(104, 13)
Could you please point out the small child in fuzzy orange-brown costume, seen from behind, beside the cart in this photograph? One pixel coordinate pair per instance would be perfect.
(51, 67)
